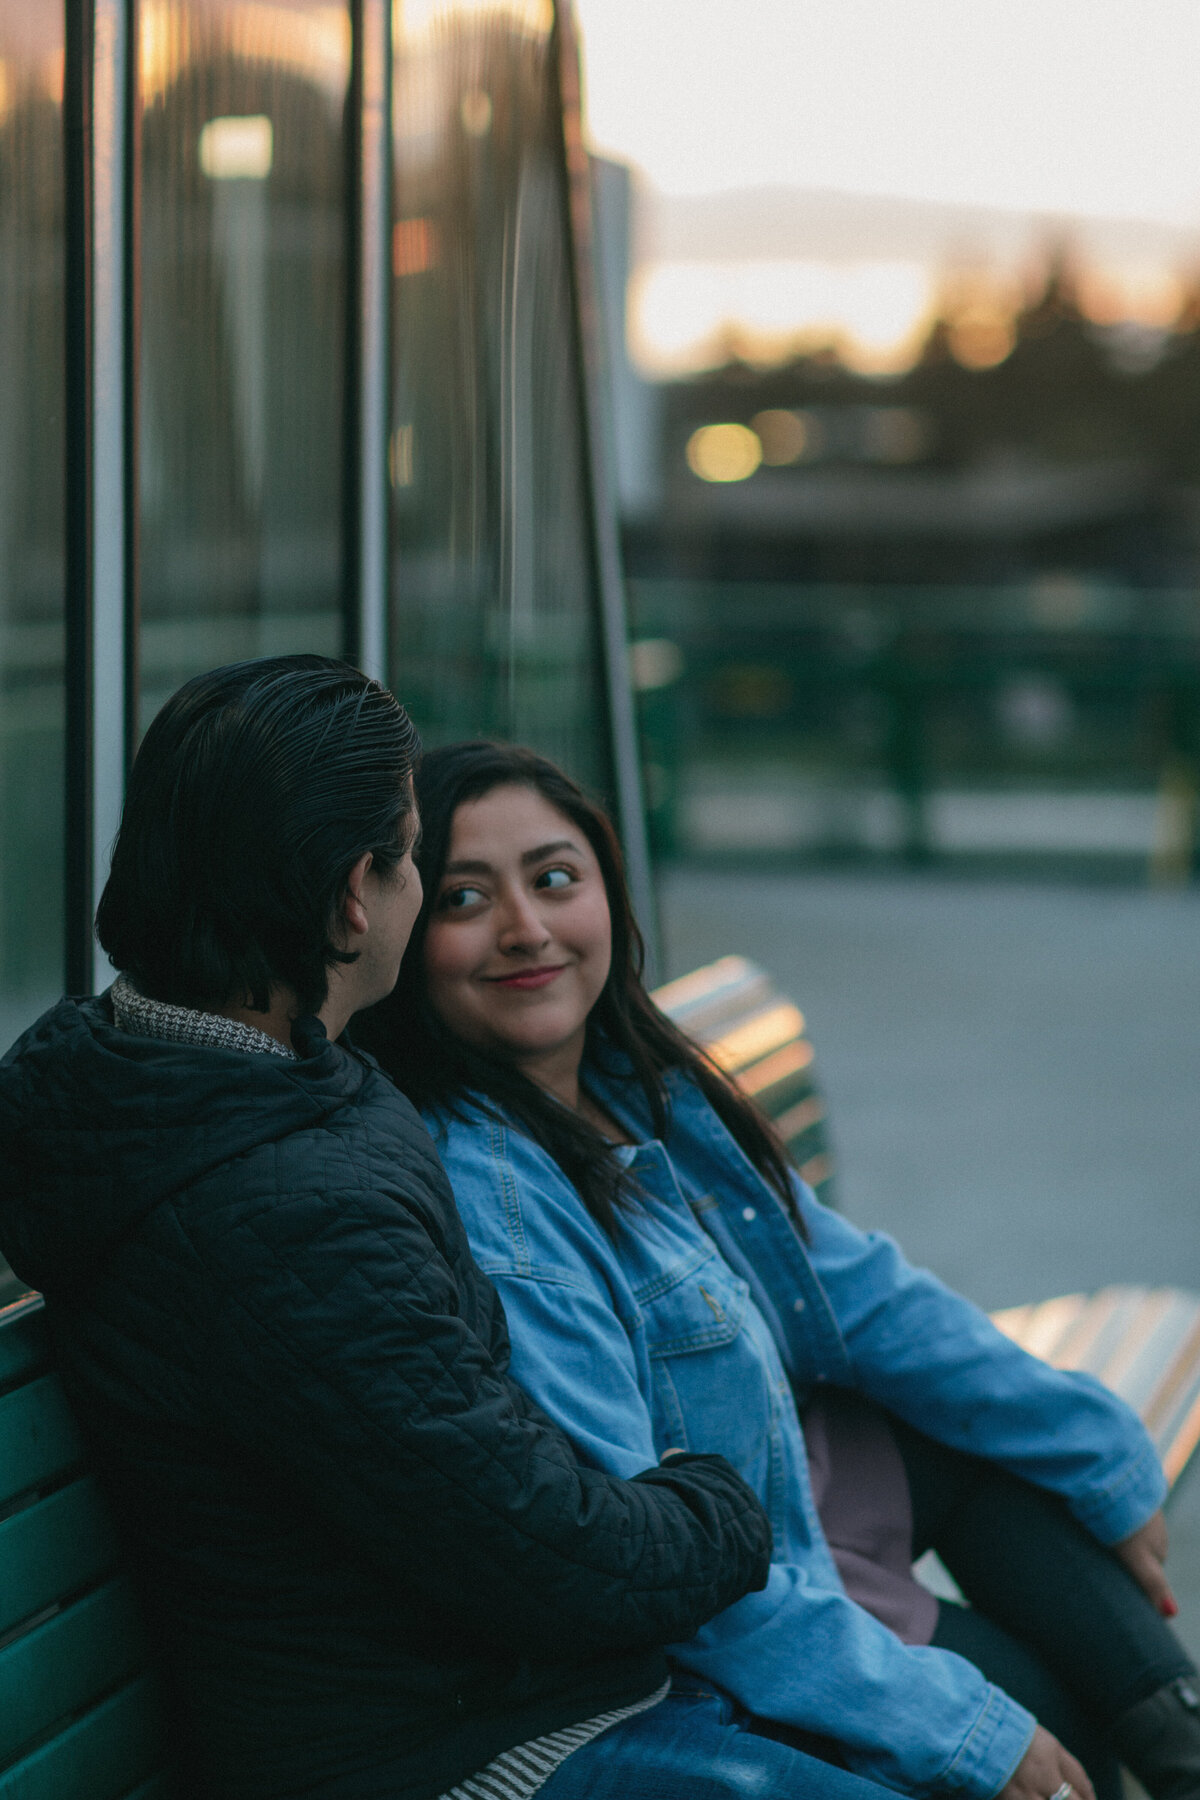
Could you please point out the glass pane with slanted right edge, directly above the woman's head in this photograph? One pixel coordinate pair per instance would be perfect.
(494, 616)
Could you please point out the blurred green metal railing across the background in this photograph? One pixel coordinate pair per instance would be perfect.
(1050, 717)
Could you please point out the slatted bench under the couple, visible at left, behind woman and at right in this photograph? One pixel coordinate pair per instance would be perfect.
(78, 1716)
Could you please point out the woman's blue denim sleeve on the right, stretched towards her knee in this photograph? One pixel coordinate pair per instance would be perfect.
(938, 1362)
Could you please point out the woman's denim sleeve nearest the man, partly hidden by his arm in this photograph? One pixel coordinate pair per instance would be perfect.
(801, 1653)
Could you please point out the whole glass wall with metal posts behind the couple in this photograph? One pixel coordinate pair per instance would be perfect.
(298, 327)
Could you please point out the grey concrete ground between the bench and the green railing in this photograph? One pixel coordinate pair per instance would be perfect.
(1014, 1075)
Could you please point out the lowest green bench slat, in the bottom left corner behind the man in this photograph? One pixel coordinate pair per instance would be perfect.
(98, 1758)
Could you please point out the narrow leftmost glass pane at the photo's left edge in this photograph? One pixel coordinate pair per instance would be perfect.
(31, 512)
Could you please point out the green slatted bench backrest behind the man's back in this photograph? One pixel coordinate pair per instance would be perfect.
(78, 1718)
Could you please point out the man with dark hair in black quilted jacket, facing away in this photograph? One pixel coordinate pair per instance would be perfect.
(373, 1569)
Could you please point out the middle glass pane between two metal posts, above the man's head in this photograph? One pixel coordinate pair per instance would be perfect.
(242, 377)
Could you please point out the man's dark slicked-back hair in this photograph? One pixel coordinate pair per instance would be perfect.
(255, 795)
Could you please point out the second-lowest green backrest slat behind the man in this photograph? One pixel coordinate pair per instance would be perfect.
(62, 1668)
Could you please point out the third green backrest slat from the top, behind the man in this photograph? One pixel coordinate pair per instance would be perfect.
(51, 1551)
